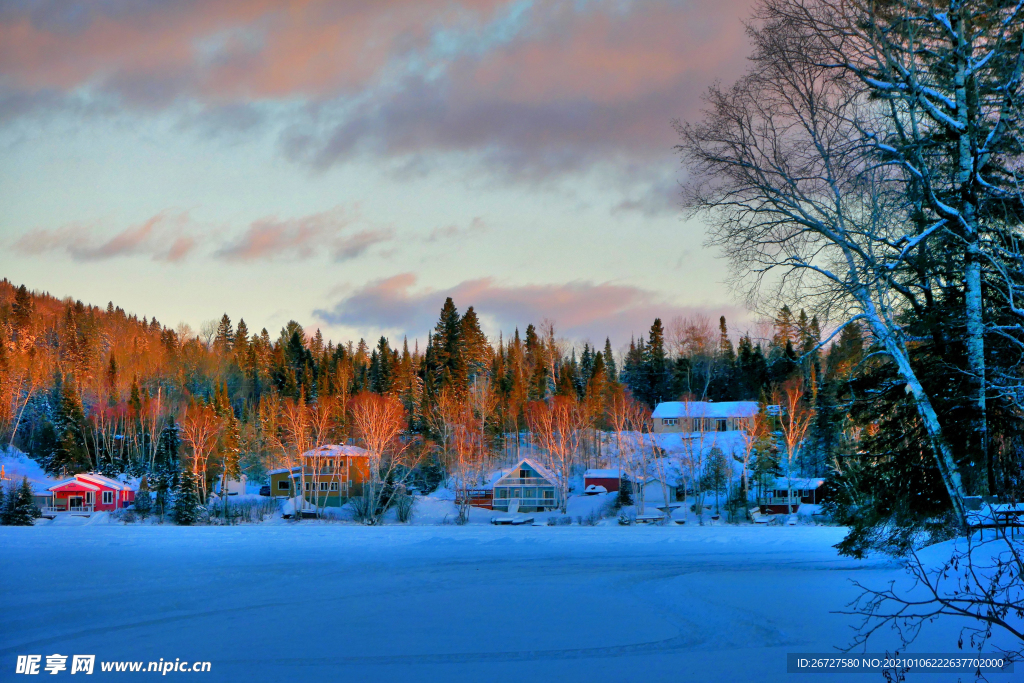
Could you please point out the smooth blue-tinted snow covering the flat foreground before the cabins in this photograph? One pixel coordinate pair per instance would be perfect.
(338, 603)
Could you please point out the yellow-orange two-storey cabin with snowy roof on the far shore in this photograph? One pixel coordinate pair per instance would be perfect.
(328, 477)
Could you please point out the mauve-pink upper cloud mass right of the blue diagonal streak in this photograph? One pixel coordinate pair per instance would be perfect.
(582, 84)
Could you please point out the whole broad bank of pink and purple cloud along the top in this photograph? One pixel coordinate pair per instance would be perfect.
(561, 88)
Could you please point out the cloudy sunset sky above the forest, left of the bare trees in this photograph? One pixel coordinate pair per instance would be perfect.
(350, 164)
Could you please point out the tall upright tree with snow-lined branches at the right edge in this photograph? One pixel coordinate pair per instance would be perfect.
(949, 77)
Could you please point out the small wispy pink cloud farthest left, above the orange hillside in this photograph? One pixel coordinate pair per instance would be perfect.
(159, 238)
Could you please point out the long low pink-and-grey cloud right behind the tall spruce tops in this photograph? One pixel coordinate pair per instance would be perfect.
(581, 310)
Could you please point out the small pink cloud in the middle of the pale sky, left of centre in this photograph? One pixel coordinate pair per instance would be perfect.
(304, 238)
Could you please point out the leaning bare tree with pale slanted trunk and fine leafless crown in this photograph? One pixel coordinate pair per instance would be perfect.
(798, 201)
